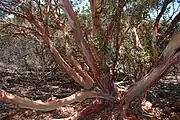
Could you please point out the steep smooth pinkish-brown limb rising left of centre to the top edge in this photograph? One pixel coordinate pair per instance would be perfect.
(79, 38)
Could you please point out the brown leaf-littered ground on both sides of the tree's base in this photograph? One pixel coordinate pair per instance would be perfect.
(36, 85)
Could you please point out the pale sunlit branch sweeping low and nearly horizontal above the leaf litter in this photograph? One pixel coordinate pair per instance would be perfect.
(46, 106)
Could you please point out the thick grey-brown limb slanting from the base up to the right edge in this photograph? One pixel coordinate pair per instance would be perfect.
(155, 74)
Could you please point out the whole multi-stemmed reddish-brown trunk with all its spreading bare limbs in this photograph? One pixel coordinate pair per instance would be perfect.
(101, 83)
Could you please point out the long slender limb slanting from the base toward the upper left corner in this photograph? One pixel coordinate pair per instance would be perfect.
(59, 59)
